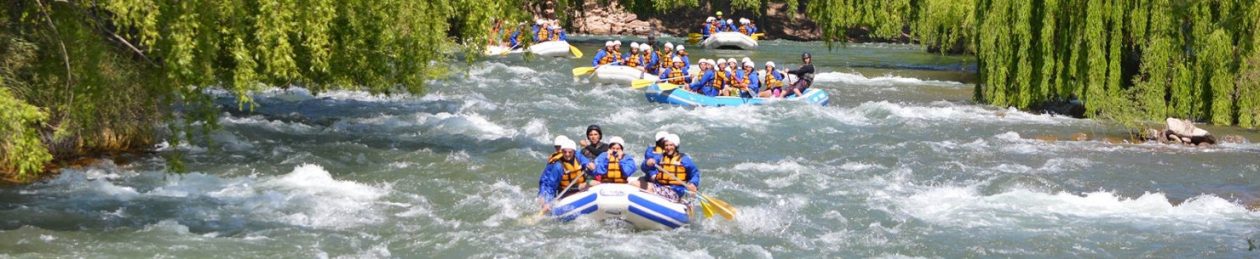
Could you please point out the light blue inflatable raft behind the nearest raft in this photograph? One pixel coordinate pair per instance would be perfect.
(682, 97)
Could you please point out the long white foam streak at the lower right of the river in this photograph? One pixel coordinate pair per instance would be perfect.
(966, 207)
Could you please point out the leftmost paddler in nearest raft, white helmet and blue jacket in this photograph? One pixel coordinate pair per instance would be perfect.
(563, 177)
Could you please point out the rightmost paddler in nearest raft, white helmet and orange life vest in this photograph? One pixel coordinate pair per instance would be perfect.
(676, 174)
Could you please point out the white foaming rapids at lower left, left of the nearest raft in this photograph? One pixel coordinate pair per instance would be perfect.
(307, 197)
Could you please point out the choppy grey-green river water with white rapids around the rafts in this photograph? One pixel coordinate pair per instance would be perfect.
(900, 164)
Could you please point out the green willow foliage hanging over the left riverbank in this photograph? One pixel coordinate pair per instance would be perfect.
(113, 76)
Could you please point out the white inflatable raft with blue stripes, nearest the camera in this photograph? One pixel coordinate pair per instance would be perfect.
(619, 202)
